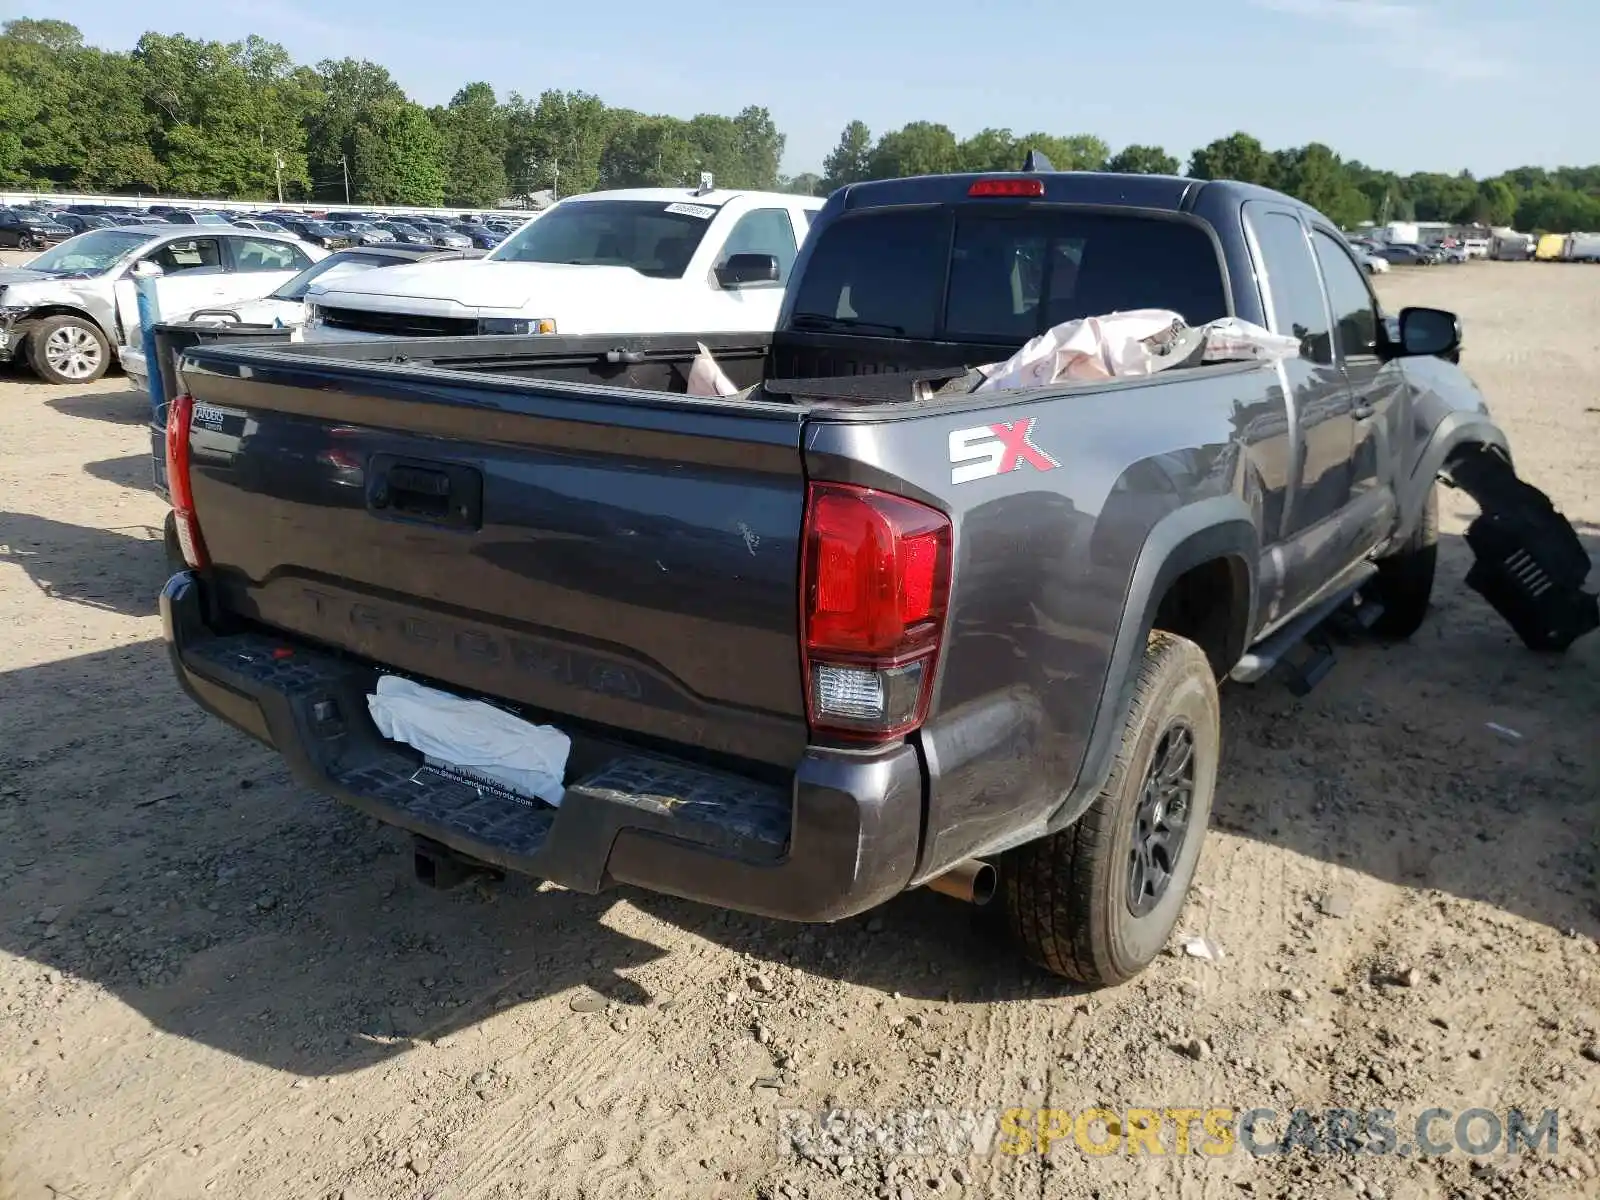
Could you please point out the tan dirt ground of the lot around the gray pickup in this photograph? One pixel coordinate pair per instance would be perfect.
(215, 983)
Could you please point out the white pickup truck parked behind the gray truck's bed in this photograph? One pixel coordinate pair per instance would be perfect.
(642, 260)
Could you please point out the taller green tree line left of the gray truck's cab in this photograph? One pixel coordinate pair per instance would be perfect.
(241, 121)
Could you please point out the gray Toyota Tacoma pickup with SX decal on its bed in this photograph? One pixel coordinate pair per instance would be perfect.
(858, 628)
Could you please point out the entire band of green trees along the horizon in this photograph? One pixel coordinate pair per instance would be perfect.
(241, 119)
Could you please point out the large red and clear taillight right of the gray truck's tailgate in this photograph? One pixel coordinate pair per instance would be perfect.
(876, 582)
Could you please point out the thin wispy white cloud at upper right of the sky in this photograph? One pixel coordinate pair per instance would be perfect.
(1407, 36)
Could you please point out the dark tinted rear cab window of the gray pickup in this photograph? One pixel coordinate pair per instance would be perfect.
(1004, 274)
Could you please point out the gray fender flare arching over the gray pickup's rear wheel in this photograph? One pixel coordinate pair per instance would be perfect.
(1214, 529)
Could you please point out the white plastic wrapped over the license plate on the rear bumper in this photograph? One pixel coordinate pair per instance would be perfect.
(471, 737)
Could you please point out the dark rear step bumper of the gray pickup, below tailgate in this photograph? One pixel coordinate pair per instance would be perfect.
(842, 841)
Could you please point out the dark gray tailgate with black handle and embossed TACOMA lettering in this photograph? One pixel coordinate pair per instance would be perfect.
(585, 554)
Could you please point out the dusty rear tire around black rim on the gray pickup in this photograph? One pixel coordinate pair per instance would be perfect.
(1066, 898)
